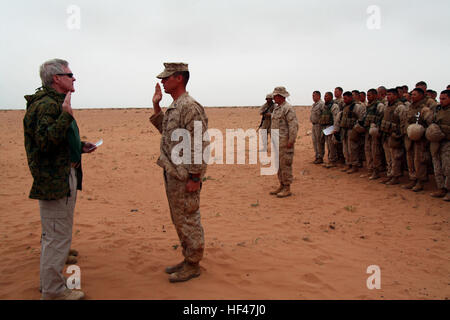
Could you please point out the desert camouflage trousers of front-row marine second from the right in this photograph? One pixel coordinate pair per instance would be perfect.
(417, 157)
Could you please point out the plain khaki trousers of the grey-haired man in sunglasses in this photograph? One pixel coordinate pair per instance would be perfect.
(57, 222)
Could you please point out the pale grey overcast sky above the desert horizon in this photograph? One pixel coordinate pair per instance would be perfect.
(237, 50)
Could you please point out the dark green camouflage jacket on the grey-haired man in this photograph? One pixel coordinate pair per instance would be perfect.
(45, 126)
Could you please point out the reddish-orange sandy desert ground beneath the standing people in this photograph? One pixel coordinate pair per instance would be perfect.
(316, 244)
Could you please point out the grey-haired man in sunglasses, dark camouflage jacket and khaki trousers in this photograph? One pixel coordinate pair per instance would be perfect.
(53, 146)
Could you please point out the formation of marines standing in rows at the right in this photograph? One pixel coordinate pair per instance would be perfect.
(390, 131)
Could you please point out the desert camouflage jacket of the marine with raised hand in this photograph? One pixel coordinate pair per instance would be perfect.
(182, 114)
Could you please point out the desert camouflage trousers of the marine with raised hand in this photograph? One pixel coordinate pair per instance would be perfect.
(185, 213)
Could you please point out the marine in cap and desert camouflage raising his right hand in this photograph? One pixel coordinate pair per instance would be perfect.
(183, 181)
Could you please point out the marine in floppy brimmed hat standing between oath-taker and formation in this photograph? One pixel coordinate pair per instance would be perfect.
(285, 121)
